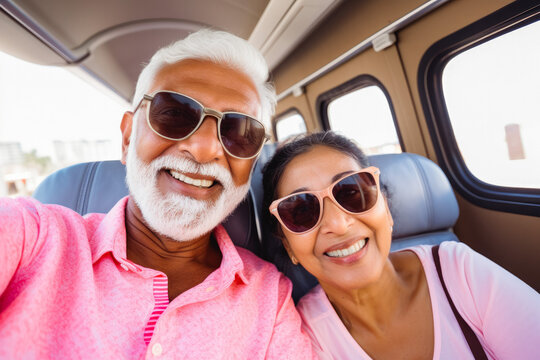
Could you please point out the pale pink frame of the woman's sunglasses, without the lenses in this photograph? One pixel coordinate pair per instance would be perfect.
(327, 193)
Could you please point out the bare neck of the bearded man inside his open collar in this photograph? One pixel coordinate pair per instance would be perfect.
(186, 263)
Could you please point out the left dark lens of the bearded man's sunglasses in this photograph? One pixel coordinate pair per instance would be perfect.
(173, 115)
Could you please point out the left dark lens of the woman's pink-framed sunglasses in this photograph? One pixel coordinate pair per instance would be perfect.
(300, 212)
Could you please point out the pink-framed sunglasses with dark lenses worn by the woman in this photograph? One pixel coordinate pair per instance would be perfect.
(302, 212)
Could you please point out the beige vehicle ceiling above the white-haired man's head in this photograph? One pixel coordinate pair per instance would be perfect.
(111, 40)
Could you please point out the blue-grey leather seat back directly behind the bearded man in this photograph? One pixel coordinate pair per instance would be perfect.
(97, 186)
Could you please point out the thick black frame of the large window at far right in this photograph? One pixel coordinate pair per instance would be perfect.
(524, 201)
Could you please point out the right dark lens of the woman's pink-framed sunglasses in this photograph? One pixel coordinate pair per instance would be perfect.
(357, 192)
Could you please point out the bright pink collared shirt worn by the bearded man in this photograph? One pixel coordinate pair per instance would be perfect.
(67, 291)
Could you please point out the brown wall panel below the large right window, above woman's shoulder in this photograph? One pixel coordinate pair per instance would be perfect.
(511, 240)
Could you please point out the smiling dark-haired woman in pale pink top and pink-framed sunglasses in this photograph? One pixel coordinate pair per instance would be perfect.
(370, 303)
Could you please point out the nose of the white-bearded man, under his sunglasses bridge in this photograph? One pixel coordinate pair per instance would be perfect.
(203, 145)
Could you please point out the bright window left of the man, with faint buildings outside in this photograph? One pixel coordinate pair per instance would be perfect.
(50, 118)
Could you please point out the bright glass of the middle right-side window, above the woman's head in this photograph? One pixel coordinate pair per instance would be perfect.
(365, 116)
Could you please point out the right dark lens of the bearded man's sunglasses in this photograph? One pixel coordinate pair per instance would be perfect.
(241, 135)
